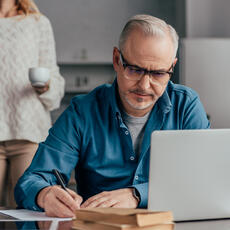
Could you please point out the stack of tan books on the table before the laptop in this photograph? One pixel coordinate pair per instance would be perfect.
(122, 219)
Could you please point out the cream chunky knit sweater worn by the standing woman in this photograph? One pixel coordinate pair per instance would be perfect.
(24, 43)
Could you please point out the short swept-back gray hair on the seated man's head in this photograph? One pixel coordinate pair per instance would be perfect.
(151, 26)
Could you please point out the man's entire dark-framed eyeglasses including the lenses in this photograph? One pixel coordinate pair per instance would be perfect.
(135, 73)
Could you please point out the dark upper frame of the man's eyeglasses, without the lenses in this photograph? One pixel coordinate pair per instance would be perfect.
(125, 64)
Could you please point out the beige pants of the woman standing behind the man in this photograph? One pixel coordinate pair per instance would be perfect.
(15, 157)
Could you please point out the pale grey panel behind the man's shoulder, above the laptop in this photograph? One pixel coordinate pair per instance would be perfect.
(204, 66)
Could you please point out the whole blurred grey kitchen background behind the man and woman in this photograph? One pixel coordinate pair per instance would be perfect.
(87, 30)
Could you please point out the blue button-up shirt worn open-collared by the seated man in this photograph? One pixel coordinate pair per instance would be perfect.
(91, 137)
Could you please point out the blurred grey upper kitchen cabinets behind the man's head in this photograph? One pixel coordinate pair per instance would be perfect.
(87, 30)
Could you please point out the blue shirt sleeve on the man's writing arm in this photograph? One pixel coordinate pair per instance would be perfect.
(60, 151)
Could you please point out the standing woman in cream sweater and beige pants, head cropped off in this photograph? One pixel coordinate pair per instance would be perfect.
(26, 40)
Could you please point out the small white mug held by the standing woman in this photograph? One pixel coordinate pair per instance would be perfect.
(39, 76)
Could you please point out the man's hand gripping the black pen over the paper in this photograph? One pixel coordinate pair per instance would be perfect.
(57, 202)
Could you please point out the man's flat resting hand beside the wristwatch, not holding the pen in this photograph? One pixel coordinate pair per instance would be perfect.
(120, 198)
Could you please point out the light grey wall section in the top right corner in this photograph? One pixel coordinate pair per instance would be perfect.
(208, 18)
